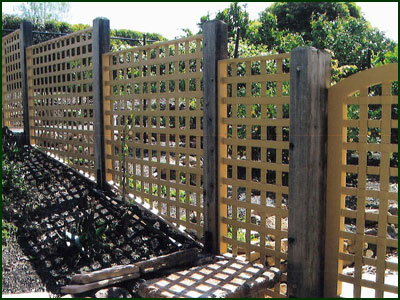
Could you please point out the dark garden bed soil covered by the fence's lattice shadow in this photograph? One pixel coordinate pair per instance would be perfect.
(59, 201)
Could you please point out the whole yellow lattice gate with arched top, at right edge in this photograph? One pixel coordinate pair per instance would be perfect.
(365, 156)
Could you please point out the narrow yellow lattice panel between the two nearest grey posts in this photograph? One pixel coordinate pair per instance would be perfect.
(254, 157)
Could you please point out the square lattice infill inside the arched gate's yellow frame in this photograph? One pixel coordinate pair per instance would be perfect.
(369, 190)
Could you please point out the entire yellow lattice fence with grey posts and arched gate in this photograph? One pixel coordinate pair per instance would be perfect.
(205, 142)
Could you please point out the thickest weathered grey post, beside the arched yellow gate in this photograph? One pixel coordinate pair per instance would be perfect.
(309, 80)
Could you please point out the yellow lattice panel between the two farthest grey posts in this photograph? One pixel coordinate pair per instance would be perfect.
(60, 80)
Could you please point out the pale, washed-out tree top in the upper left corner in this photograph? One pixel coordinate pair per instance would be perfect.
(41, 12)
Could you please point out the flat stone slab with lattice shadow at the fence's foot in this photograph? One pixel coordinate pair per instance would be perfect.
(223, 279)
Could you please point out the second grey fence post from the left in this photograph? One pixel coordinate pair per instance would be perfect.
(101, 44)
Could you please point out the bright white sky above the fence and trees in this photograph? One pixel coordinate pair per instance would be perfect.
(168, 18)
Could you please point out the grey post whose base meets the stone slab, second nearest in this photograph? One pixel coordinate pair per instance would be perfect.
(215, 41)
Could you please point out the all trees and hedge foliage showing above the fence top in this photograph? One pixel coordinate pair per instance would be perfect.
(338, 27)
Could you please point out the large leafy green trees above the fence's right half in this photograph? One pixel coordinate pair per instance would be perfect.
(338, 27)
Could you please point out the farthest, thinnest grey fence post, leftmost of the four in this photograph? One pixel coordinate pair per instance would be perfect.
(25, 40)
